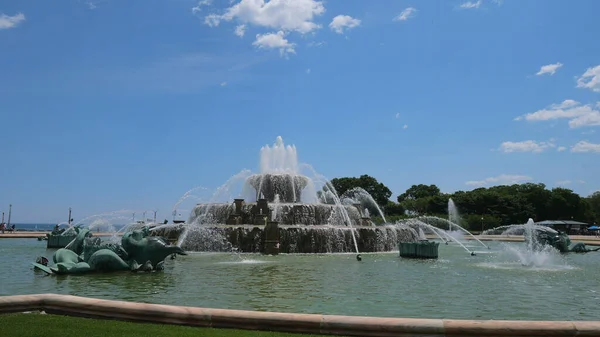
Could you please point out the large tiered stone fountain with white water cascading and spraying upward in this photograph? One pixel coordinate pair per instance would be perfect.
(286, 208)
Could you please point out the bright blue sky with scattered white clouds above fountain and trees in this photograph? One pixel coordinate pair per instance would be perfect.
(111, 105)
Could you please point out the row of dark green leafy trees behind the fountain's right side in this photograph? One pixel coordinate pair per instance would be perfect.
(479, 208)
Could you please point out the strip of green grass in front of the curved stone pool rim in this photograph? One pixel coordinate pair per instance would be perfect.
(36, 325)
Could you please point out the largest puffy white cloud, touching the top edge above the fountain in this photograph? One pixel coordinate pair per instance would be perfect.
(283, 15)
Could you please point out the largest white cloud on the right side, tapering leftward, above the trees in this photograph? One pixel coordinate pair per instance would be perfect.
(578, 115)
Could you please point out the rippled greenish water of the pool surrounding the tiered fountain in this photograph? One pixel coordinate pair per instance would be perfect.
(494, 285)
